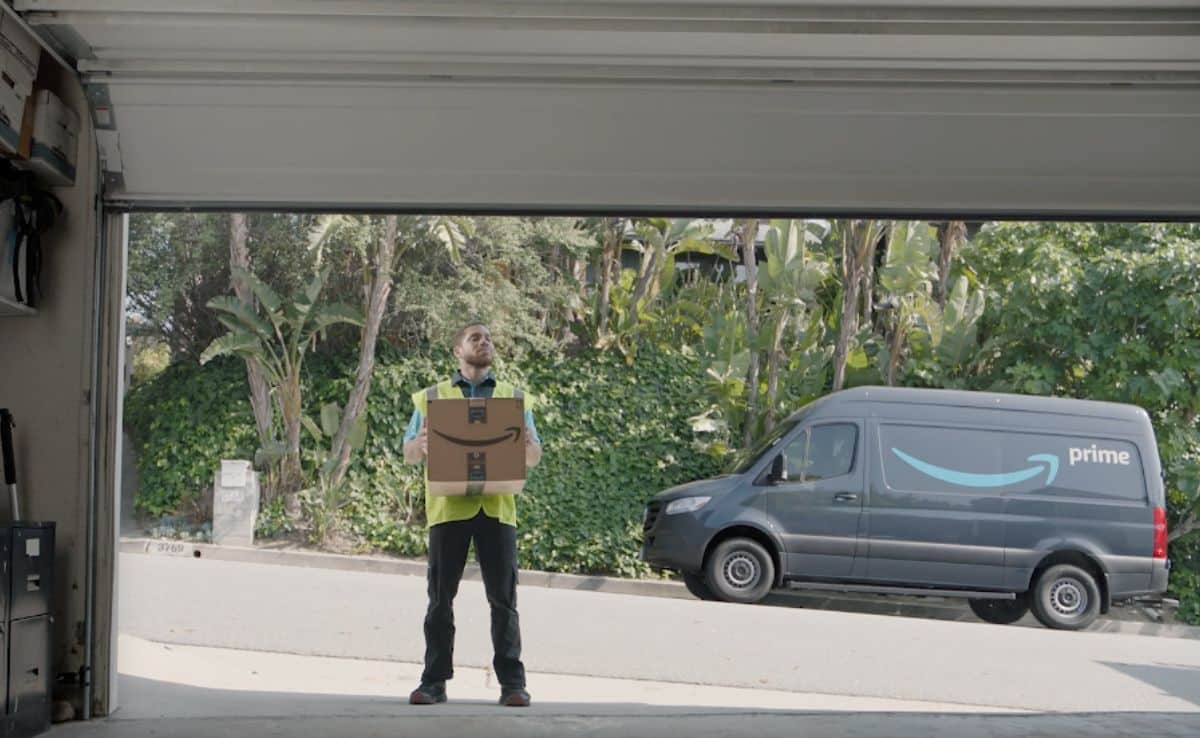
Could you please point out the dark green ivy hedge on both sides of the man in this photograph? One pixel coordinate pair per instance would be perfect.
(614, 436)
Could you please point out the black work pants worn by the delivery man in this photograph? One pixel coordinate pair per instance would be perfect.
(496, 549)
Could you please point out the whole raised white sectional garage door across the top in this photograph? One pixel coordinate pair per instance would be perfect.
(985, 109)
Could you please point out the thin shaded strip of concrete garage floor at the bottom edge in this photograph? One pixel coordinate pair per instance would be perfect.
(625, 722)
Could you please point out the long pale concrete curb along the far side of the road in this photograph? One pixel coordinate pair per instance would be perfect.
(817, 601)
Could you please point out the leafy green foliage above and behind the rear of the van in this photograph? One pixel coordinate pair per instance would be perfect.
(1105, 313)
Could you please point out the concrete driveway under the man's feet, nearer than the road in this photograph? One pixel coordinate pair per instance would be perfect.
(207, 693)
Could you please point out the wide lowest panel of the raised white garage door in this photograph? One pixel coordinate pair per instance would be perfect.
(646, 149)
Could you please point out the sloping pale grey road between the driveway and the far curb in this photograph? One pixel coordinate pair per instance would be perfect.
(375, 616)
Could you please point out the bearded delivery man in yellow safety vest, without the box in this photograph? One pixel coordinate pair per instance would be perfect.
(490, 520)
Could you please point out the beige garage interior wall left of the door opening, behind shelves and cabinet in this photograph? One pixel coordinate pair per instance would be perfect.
(46, 379)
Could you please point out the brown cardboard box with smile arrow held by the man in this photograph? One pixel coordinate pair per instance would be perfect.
(477, 447)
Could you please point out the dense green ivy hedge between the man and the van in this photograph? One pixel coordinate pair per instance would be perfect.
(614, 437)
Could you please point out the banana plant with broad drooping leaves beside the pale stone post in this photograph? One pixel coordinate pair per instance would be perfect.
(280, 334)
